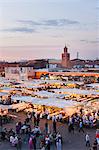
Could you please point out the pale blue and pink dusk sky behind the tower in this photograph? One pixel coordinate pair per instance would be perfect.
(36, 29)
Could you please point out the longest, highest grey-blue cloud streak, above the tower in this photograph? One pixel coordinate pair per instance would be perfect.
(50, 22)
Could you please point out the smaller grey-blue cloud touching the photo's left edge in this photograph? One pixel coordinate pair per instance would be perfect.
(19, 29)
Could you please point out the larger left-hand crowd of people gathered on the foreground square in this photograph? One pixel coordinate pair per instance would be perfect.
(34, 137)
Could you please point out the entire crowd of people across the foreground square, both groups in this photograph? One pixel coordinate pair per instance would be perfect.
(44, 140)
